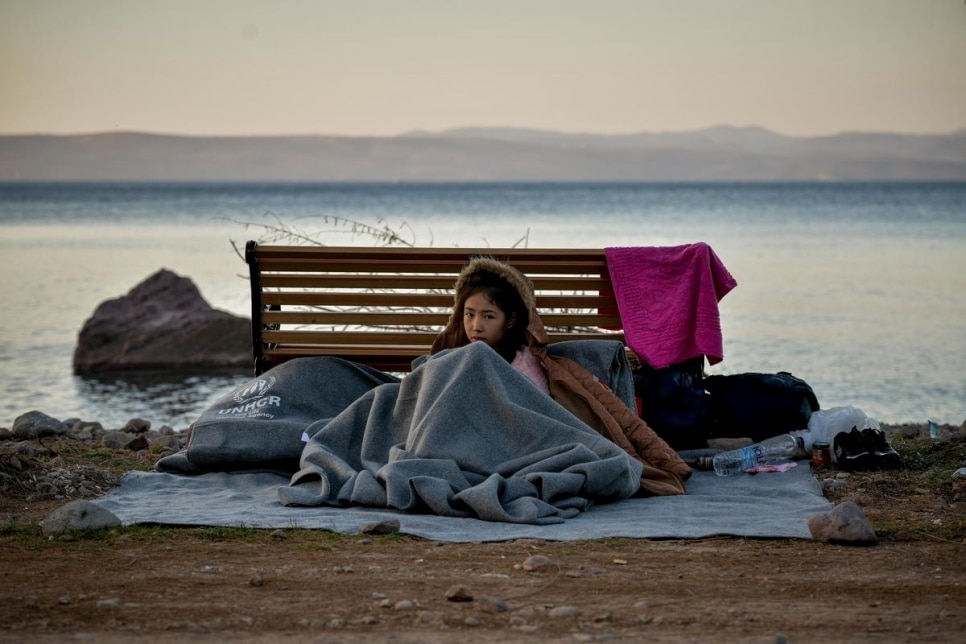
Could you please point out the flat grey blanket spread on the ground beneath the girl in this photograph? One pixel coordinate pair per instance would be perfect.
(760, 506)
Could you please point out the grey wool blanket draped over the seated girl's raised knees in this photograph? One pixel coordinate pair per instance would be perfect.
(464, 435)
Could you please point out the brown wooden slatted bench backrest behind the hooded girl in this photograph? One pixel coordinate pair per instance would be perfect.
(384, 306)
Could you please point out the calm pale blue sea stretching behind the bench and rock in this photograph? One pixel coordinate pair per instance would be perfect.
(860, 289)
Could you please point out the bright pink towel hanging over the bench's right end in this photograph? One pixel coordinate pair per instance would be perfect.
(668, 301)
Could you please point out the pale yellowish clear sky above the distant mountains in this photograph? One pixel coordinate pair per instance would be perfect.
(381, 67)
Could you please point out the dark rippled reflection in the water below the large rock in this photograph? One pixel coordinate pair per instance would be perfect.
(164, 398)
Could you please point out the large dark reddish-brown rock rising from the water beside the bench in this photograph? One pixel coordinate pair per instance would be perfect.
(163, 323)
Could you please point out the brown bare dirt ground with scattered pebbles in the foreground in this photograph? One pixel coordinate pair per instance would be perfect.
(174, 585)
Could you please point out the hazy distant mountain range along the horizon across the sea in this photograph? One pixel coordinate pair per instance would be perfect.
(487, 154)
